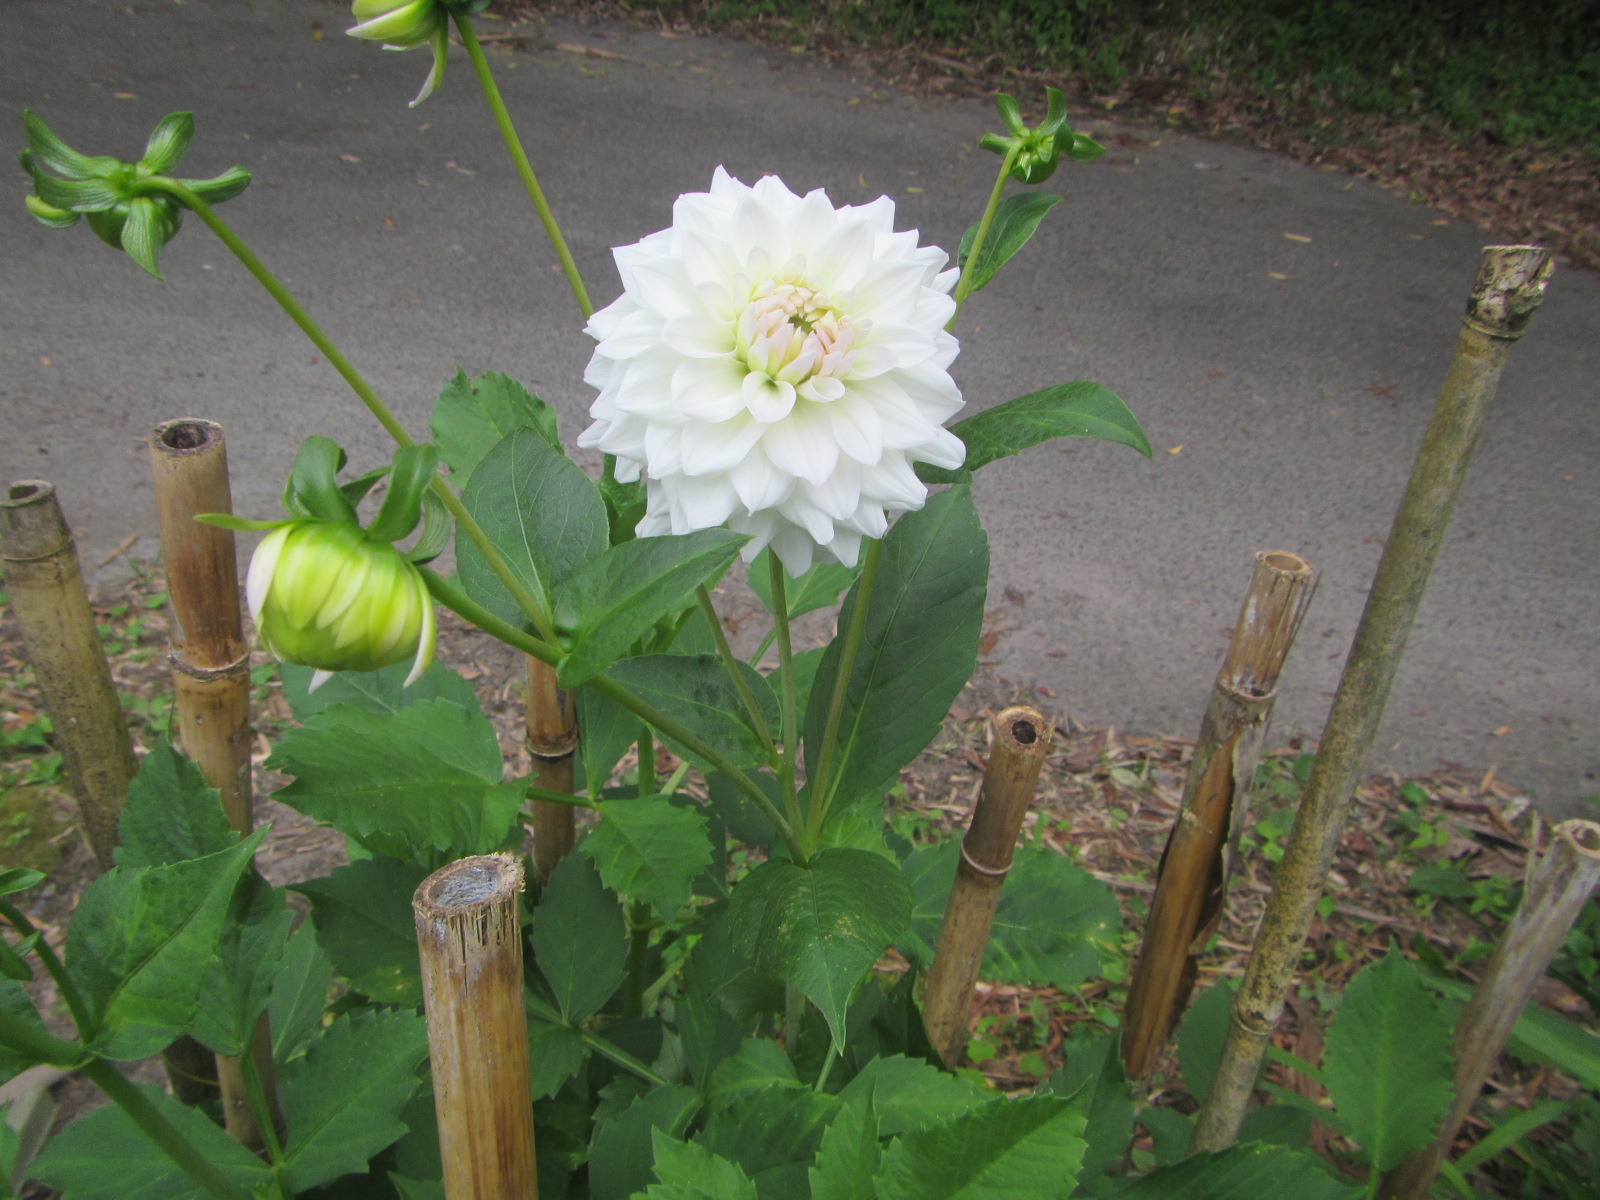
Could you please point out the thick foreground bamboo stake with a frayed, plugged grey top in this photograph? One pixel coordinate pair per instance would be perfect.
(470, 937)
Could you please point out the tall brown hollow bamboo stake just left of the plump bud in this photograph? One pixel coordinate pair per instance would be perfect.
(210, 668)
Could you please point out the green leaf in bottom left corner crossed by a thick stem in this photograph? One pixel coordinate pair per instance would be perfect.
(105, 1156)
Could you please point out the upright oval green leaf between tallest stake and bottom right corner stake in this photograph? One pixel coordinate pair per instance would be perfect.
(1388, 1062)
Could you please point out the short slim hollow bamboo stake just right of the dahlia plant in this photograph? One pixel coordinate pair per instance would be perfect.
(1018, 753)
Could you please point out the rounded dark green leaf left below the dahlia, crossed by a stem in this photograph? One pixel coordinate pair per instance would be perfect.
(540, 511)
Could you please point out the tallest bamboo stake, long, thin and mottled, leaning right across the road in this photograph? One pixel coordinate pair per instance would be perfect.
(1505, 297)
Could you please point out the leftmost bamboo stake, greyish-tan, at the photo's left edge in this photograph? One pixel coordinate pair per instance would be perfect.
(46, 583)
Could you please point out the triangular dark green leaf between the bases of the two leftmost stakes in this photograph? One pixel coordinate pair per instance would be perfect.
(172, 815)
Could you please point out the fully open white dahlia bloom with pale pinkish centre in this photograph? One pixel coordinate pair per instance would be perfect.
(777, 364)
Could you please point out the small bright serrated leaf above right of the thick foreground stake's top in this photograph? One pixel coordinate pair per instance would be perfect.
(650, 850)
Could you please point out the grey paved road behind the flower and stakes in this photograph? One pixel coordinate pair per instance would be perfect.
(1286, 382)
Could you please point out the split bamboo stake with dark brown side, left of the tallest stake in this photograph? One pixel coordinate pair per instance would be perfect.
(1191, 882)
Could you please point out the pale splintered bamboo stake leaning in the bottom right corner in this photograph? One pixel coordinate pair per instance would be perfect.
(1562, 884)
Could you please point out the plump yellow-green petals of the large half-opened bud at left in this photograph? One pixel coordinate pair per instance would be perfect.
(329, 596)
